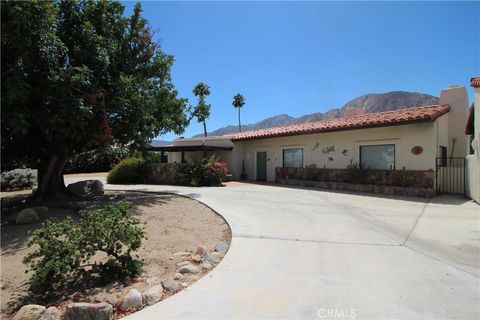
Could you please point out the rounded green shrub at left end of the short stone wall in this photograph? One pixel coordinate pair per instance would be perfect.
(129, 170)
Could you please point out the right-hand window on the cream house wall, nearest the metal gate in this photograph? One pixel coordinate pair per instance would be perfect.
(378, 157)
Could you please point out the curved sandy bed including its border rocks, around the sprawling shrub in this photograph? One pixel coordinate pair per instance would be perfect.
(184, 240)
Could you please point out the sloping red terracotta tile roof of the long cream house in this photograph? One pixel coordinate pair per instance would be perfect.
(380, 119)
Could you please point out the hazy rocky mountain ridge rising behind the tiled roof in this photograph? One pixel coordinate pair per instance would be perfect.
(368, 103)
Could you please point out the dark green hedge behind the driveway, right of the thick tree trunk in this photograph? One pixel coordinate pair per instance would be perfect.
(100, 160)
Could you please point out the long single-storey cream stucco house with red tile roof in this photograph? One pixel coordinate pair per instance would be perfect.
(426, 140)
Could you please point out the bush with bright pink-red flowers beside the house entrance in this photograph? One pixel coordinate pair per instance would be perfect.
(206, 172)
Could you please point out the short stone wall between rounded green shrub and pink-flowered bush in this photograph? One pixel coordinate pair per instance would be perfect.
(165, 173)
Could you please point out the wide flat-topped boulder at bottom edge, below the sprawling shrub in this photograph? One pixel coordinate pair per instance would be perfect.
(88, 311)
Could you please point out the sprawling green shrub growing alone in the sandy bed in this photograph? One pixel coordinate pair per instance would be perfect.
(64, 249)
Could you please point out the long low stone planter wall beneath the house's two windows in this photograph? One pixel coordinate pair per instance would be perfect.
(401, 182)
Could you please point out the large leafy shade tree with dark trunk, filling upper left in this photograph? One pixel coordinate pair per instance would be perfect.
(77, 75)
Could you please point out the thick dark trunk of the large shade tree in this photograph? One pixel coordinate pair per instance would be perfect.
(50, 178)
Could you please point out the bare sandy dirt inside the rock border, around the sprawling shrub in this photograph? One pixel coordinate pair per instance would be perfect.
(173, 224)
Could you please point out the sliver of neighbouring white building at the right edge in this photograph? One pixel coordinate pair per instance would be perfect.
(473, 129)
